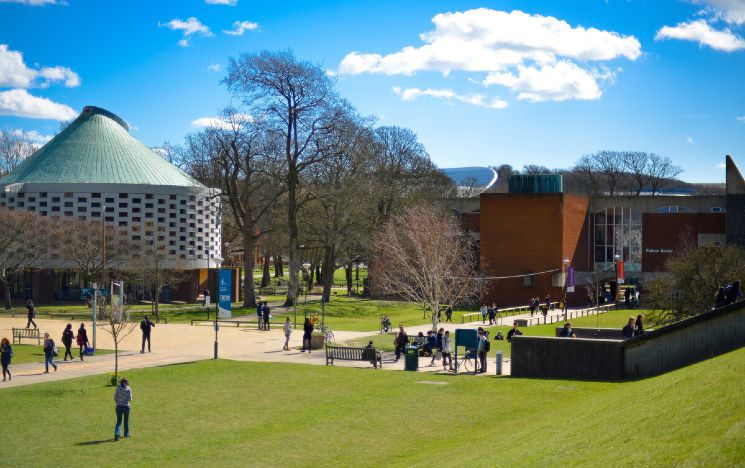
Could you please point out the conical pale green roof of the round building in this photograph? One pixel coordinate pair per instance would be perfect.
(96, 148)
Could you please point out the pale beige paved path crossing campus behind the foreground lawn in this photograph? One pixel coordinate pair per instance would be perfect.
(178, 343)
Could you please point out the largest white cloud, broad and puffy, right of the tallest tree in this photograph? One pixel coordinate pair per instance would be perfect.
(518, 50)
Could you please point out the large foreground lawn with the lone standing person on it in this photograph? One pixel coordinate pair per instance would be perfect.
(220, 413)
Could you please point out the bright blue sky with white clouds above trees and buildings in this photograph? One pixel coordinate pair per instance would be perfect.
(481, 83)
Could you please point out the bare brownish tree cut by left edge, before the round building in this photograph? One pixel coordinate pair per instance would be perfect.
(26, 238)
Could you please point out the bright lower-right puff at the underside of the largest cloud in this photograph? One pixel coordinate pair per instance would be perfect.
(552, 82)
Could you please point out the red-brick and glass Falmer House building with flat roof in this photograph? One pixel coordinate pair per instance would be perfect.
(530, 239)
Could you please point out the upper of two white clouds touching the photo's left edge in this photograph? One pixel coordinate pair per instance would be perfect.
(14, 73)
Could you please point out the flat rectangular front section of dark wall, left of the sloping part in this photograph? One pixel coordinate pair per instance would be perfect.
(544, 356)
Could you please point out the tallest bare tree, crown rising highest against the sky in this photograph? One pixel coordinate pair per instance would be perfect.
(299, 104)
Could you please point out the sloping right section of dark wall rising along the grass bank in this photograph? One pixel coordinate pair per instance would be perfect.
(685, 342)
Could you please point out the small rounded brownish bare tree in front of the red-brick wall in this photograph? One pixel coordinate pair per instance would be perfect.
(422, 255)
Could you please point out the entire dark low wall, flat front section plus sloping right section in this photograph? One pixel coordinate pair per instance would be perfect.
(657, 351)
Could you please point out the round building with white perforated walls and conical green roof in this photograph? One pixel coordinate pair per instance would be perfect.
(94, 170)
